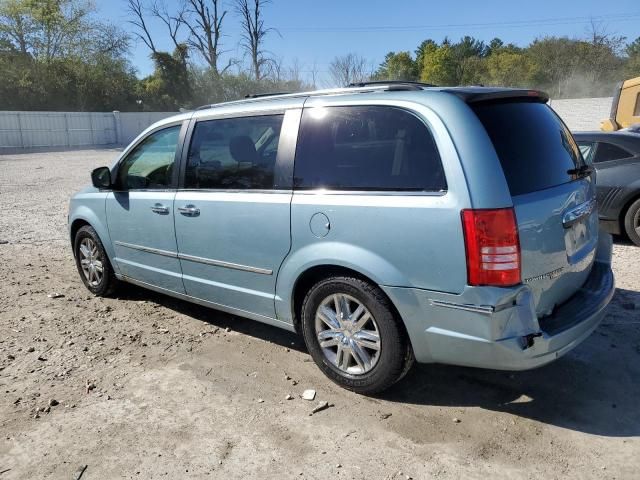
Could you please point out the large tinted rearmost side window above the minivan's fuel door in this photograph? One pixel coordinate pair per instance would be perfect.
(366, 148)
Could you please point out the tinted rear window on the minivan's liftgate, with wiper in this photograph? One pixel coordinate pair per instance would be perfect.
(535, 148)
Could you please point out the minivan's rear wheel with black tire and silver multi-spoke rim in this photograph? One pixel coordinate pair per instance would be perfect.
(353, 335)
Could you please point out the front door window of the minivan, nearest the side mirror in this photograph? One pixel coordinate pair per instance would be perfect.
(150, 163)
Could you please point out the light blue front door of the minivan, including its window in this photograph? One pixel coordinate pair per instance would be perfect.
(140, 212)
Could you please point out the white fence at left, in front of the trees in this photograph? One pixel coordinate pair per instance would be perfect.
(19, 130)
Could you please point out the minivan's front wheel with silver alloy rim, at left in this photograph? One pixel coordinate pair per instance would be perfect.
(93, 264)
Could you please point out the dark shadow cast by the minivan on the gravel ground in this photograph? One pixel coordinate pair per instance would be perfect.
(593, 389)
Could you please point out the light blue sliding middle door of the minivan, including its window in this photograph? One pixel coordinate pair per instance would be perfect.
(233, 214)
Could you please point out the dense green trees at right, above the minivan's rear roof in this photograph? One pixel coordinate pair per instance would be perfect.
(563, 67)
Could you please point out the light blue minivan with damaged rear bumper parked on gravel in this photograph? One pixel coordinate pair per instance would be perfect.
(385, 222)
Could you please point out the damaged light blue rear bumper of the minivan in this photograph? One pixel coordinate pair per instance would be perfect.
(498, 328)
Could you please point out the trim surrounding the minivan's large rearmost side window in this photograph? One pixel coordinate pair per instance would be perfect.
(374, 192)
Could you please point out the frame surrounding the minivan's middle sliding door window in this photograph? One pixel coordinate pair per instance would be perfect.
(283, 169)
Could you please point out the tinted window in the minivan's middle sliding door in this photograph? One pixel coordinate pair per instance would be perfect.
(234, 153)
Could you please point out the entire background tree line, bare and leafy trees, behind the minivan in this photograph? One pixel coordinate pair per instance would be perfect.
(58, 55)
